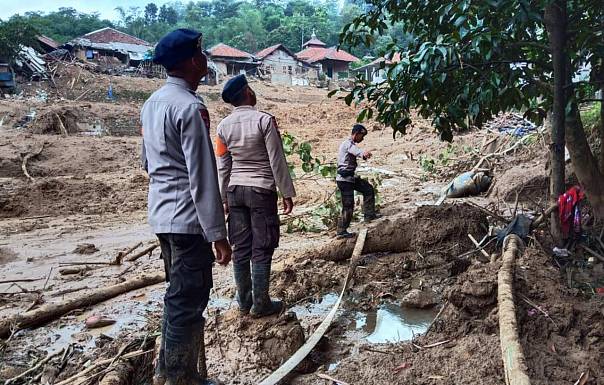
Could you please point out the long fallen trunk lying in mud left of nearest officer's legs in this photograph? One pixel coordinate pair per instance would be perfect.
(52, 311)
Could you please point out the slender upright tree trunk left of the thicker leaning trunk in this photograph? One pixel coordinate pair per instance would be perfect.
(556, 24)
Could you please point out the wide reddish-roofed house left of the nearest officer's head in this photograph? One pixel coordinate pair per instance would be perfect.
(110, 46)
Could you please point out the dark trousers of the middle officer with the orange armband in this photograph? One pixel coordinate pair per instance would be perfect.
(253, 224)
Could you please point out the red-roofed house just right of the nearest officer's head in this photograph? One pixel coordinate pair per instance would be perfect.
(232, 61)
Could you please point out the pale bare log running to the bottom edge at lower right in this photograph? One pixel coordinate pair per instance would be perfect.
(514, 363)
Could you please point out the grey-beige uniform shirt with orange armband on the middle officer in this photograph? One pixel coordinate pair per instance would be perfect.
(250, 152)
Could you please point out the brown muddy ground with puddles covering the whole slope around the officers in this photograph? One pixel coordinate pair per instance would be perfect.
(86, 187)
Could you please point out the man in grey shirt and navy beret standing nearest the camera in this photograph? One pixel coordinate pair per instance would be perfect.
(185, 209)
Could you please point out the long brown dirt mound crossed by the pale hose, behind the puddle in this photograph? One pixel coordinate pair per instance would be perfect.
(431, 229)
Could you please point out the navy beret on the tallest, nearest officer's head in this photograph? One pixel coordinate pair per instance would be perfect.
(177, 46)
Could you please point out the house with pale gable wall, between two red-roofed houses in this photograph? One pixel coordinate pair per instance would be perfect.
(282, 66)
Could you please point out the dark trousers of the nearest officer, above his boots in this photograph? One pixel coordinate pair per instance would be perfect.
(188, 262)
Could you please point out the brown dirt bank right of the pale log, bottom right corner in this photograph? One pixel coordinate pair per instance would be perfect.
(570, 340)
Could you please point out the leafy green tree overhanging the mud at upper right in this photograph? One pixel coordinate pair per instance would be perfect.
(472, 59)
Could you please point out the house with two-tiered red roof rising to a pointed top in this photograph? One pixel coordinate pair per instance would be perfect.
(333, 62)
